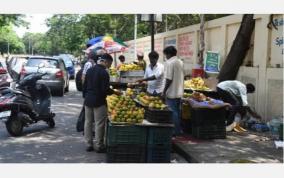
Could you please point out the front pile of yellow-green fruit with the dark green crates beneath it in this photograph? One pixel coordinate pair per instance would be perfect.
(133, 139)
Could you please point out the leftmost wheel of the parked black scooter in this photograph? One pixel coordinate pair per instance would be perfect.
(14, 126)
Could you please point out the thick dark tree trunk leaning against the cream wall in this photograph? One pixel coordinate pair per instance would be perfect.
(238, 50)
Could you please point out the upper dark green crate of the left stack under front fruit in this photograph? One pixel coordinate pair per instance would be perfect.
(126, 134)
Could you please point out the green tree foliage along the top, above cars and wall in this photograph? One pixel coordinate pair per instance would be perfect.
(68, 33)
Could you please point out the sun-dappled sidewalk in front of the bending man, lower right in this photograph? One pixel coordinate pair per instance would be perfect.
(250, 146)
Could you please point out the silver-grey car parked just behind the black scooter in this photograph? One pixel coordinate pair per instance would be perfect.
(57, 78)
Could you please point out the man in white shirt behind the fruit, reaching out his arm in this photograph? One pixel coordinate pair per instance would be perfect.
(154, 75)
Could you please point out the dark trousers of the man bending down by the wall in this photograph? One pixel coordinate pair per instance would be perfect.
(235, 101)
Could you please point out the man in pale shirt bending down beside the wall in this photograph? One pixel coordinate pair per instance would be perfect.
(235, 93)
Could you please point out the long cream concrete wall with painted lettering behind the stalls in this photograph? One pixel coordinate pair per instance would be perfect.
(265, 53)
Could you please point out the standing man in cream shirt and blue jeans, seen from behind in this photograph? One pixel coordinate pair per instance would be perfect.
(173, 90)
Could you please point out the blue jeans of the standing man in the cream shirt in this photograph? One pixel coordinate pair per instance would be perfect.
(175, 106)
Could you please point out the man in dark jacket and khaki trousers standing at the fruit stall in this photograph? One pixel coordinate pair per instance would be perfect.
(96, 89)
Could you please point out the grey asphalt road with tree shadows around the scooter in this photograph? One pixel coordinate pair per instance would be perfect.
(62, 144)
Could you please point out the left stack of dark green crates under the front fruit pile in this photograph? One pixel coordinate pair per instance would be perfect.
(126, 143)
